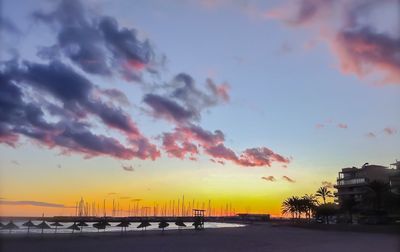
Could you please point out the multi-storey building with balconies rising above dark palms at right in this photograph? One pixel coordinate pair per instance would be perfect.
(352, 182)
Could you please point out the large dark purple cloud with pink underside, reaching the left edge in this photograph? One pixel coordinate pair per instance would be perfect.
(66, 96)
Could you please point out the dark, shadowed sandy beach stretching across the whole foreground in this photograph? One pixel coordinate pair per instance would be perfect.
(249, 238)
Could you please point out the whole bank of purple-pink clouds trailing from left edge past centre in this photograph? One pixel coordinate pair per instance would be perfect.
(55, 103)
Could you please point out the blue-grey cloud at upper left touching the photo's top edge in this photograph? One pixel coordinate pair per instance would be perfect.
(95, 43)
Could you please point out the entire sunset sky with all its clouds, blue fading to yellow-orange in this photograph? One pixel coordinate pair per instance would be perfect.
(234, 102)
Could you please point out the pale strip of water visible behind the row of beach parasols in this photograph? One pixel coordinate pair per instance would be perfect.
(112, 228)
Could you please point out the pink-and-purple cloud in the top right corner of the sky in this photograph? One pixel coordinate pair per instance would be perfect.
(362, 48)
